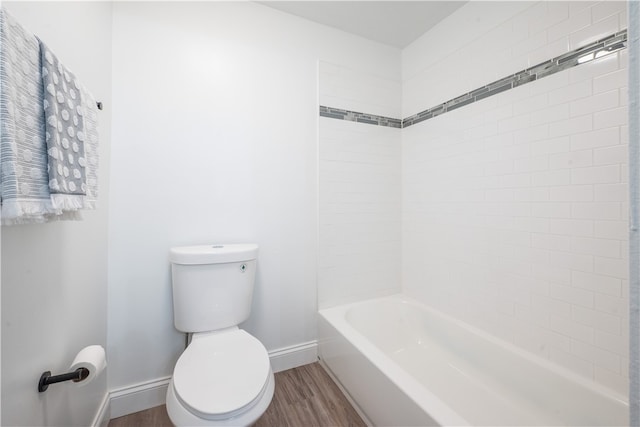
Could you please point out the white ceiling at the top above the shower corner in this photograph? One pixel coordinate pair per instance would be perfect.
(395, 23)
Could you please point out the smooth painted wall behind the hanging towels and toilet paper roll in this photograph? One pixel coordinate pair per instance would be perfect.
(54, 276)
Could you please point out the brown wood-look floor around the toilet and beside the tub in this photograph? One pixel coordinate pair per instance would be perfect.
(304, 396)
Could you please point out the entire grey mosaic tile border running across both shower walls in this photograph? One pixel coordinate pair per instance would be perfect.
(597, 49)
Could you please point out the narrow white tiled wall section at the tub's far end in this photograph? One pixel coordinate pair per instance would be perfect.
(359, 193)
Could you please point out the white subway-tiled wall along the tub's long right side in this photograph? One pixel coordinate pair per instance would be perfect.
(515, 207)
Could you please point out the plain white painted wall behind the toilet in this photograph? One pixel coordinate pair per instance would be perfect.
(215, 140)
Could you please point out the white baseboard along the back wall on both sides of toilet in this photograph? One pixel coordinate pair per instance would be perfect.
(138, 397)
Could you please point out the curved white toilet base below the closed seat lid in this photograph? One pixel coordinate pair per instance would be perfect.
(181, 416)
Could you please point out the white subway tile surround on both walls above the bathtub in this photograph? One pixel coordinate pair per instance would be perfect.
(512, 210)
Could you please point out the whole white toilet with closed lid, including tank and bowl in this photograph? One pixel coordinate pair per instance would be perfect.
(224, 376)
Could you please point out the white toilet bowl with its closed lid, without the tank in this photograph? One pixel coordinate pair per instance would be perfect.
(223, 378)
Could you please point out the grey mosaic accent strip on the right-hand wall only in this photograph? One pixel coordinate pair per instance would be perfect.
(597, 49)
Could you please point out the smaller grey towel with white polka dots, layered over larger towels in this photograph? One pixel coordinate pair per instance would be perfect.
(65, 133)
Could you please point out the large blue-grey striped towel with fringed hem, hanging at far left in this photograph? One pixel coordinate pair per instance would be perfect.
(24, 184)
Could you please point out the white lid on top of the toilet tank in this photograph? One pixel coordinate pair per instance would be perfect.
(213, 254)
